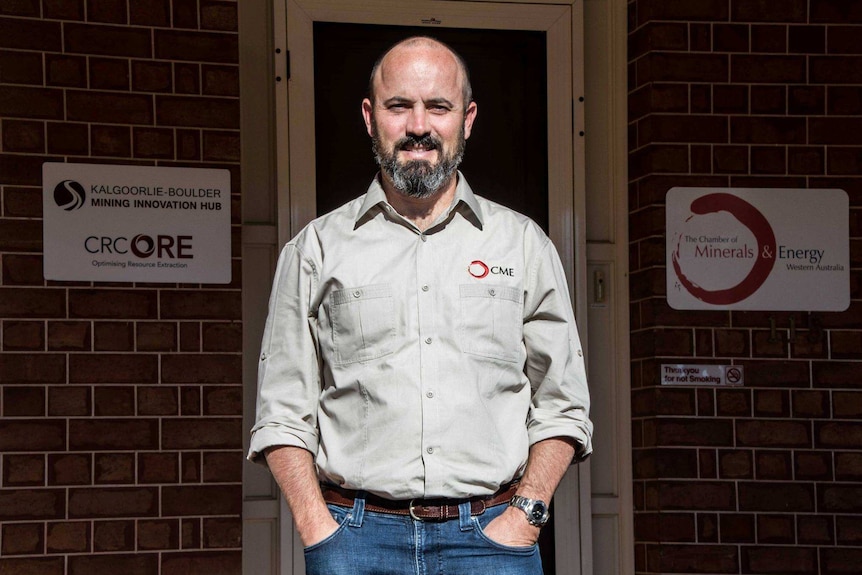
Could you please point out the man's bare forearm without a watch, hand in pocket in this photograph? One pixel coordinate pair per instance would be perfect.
(294, 471)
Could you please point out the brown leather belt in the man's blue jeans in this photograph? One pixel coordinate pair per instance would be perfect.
(424, 509)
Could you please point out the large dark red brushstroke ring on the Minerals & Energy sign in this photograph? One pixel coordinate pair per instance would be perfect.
(750, 217)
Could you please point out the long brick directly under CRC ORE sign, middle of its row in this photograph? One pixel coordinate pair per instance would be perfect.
(113, 304)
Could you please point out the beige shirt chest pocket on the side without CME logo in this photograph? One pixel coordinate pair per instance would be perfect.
(363, 325)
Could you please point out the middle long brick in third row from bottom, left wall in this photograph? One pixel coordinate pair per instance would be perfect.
(90, 502)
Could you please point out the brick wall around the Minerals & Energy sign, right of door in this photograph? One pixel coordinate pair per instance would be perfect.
(766, 478)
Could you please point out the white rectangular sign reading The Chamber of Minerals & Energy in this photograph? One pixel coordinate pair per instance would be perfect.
(758, 249)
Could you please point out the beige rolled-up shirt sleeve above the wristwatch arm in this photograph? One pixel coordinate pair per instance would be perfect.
(555, 359)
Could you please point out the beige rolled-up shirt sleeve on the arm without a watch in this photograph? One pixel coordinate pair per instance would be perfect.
(288, 374)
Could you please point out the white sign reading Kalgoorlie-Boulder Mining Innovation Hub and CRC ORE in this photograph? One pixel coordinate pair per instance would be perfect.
(136, 223)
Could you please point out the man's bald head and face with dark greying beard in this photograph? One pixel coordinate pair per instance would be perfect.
(418, 121)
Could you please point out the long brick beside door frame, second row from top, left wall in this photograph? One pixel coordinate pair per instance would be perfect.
(196, 46)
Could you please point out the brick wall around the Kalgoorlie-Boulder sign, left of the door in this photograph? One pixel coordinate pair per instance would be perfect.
(121, 403)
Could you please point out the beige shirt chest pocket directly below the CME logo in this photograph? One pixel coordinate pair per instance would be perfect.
(491, 321)
